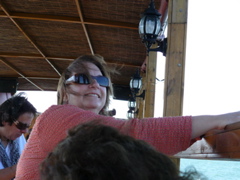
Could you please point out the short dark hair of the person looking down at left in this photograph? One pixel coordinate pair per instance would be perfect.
(15, 106)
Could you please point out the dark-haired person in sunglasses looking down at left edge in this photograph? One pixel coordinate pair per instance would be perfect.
(16, 115)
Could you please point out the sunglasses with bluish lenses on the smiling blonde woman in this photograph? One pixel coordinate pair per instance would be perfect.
(83, 79)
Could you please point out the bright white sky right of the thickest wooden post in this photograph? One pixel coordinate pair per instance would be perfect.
(212, 59)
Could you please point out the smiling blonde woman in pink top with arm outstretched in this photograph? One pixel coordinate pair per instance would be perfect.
(83, 95)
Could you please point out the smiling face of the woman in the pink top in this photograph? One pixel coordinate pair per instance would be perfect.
(91, 97)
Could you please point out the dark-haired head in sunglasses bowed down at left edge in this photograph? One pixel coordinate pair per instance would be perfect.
(16, 115)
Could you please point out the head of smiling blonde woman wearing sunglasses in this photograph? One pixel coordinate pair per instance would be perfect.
(86, 83)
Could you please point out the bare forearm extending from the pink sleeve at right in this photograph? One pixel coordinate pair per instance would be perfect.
(202, 124)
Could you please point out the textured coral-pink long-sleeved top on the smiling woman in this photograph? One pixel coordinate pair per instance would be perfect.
(169, 135)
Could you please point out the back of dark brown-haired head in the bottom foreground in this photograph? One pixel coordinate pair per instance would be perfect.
(99, 152)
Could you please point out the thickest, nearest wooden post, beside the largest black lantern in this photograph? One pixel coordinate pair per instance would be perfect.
(175, 60)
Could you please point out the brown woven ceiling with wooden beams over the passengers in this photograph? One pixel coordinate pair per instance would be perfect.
(39, 38)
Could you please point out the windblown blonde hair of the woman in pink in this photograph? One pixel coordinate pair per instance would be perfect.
(78, 66)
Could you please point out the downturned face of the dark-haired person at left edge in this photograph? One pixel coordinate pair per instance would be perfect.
(11, 132)
